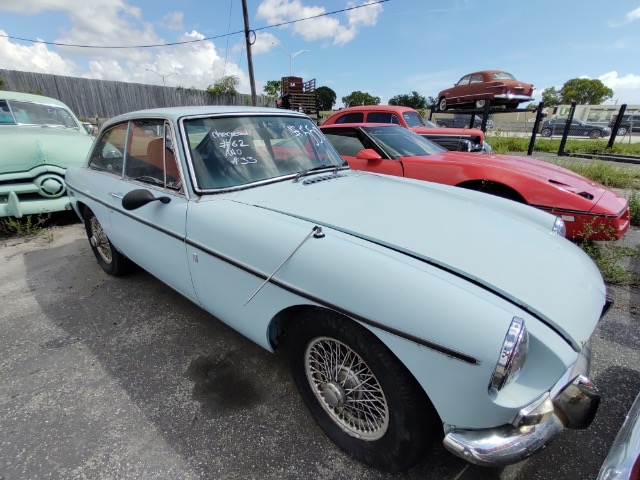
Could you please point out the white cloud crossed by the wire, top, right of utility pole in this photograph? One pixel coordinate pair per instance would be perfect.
(280, 11)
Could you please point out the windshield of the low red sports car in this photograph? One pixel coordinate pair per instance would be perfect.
(400, 142)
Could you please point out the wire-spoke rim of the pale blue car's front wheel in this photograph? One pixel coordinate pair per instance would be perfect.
(346, 388)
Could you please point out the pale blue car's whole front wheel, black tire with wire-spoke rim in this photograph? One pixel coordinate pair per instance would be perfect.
(359, 393)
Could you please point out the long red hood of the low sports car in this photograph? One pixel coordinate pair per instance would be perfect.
(553, 174)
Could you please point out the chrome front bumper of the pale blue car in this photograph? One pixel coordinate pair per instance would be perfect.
(573, 406)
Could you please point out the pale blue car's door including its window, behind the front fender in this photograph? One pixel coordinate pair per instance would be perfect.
(153, 235)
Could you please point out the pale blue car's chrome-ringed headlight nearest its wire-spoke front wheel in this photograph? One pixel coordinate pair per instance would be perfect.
(512, 355)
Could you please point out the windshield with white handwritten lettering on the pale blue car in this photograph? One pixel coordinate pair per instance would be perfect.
(234, 151)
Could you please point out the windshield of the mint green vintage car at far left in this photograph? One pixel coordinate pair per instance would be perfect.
(28, 113)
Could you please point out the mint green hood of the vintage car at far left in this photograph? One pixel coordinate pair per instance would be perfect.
(25, 147)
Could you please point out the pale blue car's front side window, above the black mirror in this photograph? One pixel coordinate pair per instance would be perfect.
(150, 156)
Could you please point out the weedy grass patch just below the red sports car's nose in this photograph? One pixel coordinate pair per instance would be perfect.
(608, 256)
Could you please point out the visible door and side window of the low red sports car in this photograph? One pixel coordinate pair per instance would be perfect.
(349, 142)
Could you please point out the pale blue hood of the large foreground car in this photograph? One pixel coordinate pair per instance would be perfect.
(506, 247)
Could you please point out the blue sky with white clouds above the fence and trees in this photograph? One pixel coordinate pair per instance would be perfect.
(385, 49)
